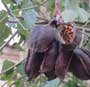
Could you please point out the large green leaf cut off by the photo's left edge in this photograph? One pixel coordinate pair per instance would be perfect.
(4, 30)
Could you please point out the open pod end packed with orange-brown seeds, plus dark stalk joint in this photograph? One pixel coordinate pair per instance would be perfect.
(65, 31)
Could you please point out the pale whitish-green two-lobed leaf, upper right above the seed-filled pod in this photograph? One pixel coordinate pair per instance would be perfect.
(70, 15)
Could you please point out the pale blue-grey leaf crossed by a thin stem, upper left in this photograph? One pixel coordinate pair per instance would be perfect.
(28, 15)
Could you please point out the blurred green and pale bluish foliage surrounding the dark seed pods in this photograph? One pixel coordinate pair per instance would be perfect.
(21, 15)
